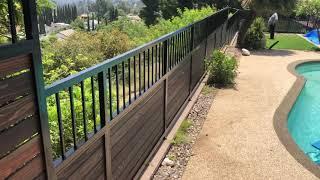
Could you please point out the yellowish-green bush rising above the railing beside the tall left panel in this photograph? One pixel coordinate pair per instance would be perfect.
(62, 58)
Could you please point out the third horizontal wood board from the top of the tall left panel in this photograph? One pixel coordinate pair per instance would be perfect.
(17, 111)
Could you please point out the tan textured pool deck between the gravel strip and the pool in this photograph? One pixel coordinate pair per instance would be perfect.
(238, 139)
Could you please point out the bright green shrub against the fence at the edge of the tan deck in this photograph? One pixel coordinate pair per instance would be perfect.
(222, 69)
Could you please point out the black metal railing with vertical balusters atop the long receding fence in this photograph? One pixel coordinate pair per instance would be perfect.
(85, 102)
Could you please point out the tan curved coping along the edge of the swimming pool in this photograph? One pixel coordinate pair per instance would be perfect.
(280, 119)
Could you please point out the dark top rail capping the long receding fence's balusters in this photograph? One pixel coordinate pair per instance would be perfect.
(103, 66)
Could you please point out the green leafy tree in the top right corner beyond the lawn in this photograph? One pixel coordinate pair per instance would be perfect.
(310, 8)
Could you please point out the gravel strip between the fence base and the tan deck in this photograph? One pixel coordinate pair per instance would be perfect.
(179, 154)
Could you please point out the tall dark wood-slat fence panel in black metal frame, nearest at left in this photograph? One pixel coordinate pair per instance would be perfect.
(24, 137)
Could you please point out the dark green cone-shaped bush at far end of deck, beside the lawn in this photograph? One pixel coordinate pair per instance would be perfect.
(255, 38)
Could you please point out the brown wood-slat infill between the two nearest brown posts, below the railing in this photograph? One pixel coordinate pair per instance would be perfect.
(147, 122)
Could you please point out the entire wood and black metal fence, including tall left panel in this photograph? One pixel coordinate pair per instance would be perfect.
(110, 118)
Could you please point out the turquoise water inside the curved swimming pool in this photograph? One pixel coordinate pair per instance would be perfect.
(304, 118)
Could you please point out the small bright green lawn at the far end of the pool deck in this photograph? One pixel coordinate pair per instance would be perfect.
(290, 41)
